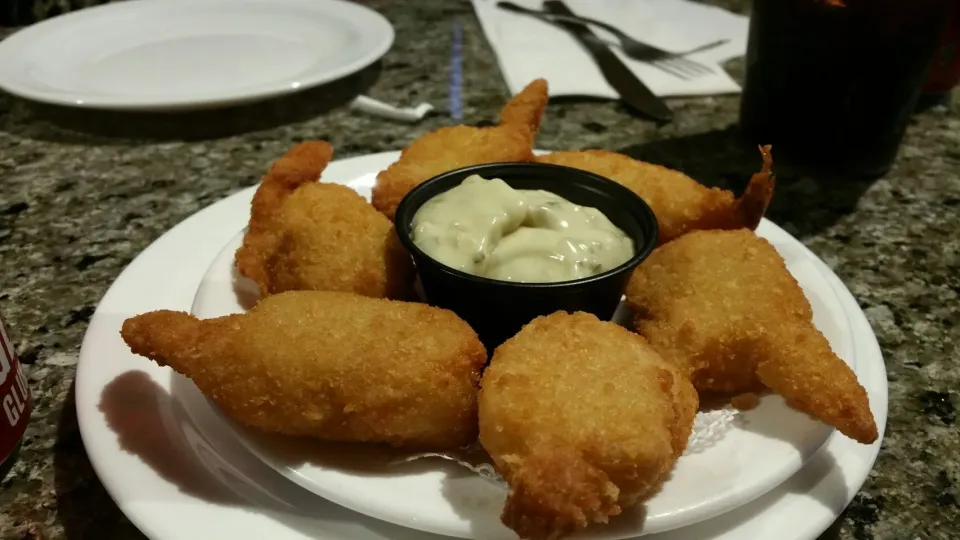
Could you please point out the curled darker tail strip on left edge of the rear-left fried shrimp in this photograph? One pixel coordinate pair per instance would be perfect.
(301, 165)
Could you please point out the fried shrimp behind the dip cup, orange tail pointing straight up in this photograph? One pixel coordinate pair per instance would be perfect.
(454, 147)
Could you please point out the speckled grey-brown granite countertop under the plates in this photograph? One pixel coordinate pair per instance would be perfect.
(84, 193)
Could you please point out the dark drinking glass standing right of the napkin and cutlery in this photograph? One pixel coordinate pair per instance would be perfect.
(831, 84)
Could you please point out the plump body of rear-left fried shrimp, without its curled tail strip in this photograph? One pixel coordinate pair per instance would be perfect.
(322, 237)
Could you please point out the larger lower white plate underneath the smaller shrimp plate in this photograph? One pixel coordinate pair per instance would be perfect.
(177, 471)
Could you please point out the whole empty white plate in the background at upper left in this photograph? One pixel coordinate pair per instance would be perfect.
(179, 54)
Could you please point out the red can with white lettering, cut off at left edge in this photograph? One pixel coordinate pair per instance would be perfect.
(15, 401)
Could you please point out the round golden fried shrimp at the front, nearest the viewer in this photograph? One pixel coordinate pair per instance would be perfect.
(583, 418)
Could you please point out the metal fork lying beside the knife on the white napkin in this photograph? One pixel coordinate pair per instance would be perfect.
(673, 63)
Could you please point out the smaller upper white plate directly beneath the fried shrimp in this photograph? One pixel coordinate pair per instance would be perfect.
(765, 447)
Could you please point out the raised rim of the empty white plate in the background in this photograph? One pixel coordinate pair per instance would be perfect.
(10, 77)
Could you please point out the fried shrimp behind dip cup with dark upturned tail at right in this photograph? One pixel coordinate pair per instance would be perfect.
(680, 203)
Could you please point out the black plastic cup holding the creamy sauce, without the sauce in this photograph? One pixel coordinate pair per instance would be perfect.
(497, 309)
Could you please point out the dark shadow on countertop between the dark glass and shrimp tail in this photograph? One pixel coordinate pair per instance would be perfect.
(803, 206)
